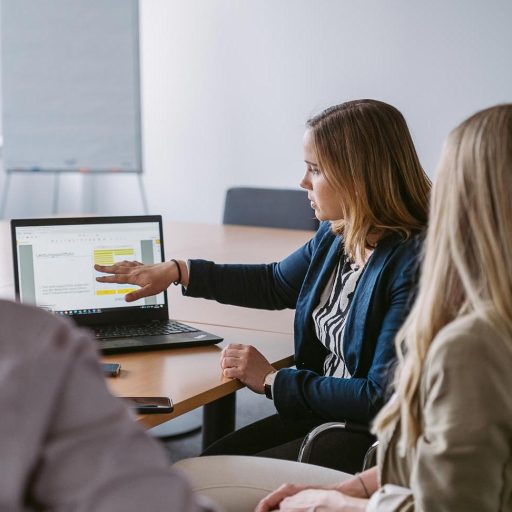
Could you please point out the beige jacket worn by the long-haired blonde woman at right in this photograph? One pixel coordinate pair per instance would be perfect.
(463, 459)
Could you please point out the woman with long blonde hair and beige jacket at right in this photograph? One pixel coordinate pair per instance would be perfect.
(446, 434)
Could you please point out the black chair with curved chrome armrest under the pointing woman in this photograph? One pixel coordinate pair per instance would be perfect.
(365, 444)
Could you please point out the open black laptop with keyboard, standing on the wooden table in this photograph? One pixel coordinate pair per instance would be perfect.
(54, 269)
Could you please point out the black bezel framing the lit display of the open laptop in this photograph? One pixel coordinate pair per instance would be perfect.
(129, 314)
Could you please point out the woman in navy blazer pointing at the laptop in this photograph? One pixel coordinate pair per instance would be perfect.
(350, 285)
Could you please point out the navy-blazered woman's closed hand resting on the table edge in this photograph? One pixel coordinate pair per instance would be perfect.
(247, 364)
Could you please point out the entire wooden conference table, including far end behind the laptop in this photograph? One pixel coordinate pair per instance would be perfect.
(192, 377)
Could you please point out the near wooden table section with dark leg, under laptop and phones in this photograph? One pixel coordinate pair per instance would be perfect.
(192, 377)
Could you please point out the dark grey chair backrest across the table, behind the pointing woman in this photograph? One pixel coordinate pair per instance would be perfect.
(268, 207)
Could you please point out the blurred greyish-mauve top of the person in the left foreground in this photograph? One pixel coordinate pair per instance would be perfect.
(66, 444)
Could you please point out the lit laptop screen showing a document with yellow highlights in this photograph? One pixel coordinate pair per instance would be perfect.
(55, 262)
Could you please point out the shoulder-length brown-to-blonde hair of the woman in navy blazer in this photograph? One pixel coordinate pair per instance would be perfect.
(367, 154)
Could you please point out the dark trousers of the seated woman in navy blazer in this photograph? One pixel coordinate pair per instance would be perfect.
(271, 437)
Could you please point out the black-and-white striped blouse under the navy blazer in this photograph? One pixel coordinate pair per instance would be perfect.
(331, 314)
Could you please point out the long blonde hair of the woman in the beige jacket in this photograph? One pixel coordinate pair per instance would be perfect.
(468, 253)
